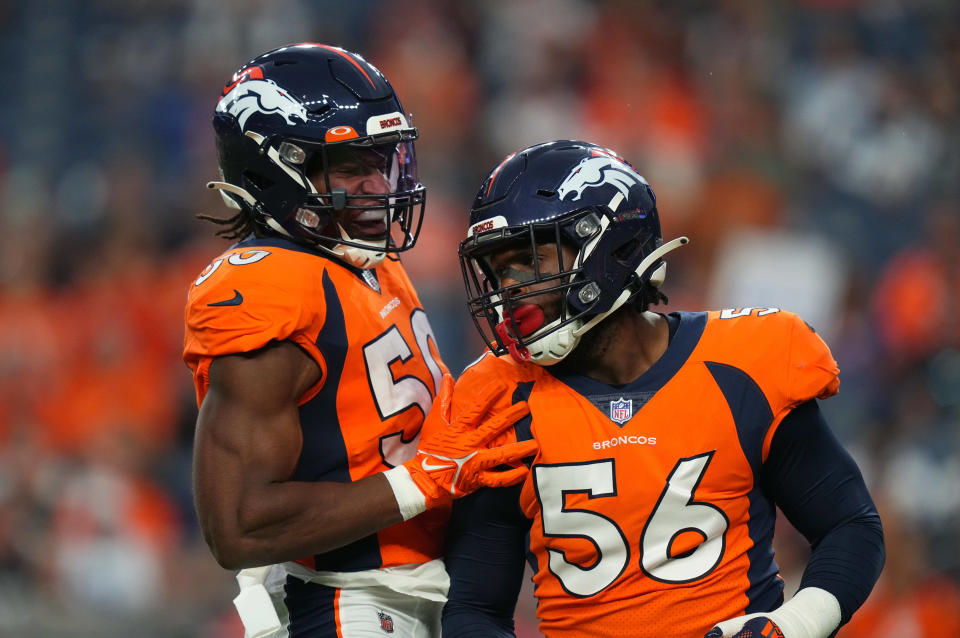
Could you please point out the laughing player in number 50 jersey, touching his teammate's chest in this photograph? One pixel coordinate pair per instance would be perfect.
(315, 365)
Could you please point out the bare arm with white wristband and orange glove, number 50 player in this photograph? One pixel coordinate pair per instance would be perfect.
(248, 441)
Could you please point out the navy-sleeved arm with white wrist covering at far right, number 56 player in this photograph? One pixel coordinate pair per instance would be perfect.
(822, 493)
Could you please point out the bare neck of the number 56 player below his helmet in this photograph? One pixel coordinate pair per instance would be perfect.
(620, 351)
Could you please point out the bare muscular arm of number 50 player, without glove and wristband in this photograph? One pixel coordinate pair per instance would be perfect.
(247, 444)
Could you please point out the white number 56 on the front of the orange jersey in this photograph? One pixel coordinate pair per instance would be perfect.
(676, 518)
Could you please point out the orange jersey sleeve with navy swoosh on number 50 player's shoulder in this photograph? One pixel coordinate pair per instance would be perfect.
(238, 306)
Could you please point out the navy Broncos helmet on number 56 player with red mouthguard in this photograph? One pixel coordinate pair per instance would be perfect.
(568, 193)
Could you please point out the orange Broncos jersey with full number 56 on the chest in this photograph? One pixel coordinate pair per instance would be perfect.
(646, 514)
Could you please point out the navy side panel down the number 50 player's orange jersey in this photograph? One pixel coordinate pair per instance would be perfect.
(324, 455)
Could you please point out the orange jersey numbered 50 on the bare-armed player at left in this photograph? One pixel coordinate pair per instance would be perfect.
(377, 354)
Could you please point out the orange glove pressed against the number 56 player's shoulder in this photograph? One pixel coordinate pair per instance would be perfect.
(453, 459)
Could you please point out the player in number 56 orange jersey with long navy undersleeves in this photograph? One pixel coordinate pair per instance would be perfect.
(666, 440)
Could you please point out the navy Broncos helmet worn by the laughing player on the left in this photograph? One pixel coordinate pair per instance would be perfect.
(276, 124)
